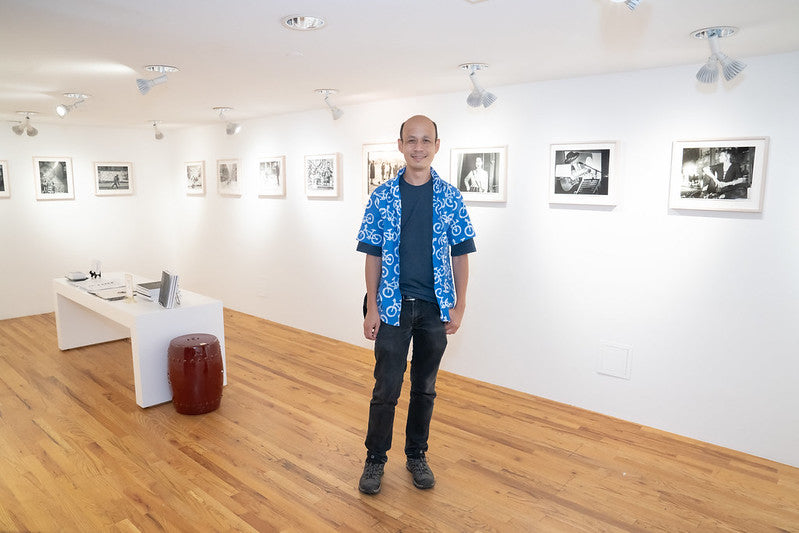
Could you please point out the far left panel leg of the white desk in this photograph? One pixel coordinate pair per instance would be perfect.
(77, 325)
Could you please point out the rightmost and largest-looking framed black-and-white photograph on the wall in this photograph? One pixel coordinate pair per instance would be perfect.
(718, 175)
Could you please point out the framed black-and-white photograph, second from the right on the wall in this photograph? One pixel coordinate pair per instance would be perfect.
(583, 173)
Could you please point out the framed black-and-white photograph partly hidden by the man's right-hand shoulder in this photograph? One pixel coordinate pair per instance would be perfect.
(480, 173)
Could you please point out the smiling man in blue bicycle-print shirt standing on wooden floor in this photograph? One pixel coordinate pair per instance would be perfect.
(412, 225)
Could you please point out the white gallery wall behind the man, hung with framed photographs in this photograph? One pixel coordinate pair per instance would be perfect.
(708, 301)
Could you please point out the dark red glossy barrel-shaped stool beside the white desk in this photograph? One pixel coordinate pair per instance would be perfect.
(195, 373)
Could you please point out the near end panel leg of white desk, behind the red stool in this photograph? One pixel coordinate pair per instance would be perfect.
(150, 344)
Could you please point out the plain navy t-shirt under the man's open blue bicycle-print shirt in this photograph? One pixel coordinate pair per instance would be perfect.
(416, 242)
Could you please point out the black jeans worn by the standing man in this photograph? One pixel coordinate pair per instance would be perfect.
(420, 321)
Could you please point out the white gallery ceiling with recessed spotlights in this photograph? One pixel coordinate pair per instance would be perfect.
(236, 53)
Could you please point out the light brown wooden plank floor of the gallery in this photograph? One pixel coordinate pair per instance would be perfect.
(285, 450)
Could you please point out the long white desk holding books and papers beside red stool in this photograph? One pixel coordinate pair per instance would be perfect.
(83, 319)
